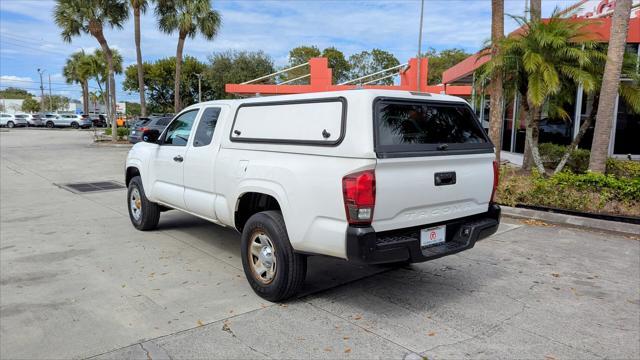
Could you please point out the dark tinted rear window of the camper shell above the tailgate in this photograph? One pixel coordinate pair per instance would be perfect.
(407, 127)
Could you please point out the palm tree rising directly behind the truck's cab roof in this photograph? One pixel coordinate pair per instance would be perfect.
(188, 18)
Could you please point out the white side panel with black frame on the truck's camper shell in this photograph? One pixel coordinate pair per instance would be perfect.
(297, 122)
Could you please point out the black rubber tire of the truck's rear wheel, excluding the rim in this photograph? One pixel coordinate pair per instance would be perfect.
(290, 269)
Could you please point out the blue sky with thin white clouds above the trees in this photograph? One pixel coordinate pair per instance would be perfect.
(29, 39)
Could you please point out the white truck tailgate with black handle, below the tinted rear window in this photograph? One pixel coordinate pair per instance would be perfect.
(407, 194)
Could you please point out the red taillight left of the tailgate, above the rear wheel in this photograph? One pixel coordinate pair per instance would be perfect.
(359, 191)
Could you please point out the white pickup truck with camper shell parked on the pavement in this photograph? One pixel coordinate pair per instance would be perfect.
(371, 176)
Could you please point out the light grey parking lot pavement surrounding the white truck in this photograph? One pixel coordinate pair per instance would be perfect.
(77, 281)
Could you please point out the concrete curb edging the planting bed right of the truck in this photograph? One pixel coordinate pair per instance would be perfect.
(571, 220)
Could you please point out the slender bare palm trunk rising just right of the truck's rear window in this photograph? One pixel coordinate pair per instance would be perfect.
(495, 106)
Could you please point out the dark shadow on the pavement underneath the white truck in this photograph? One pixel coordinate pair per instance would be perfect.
(419, 281)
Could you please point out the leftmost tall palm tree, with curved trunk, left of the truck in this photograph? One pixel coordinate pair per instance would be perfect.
(75, 17)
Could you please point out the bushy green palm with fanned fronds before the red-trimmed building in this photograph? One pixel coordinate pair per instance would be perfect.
(539, 61)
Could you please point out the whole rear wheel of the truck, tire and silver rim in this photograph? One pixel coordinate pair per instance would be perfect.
(274, 271)
